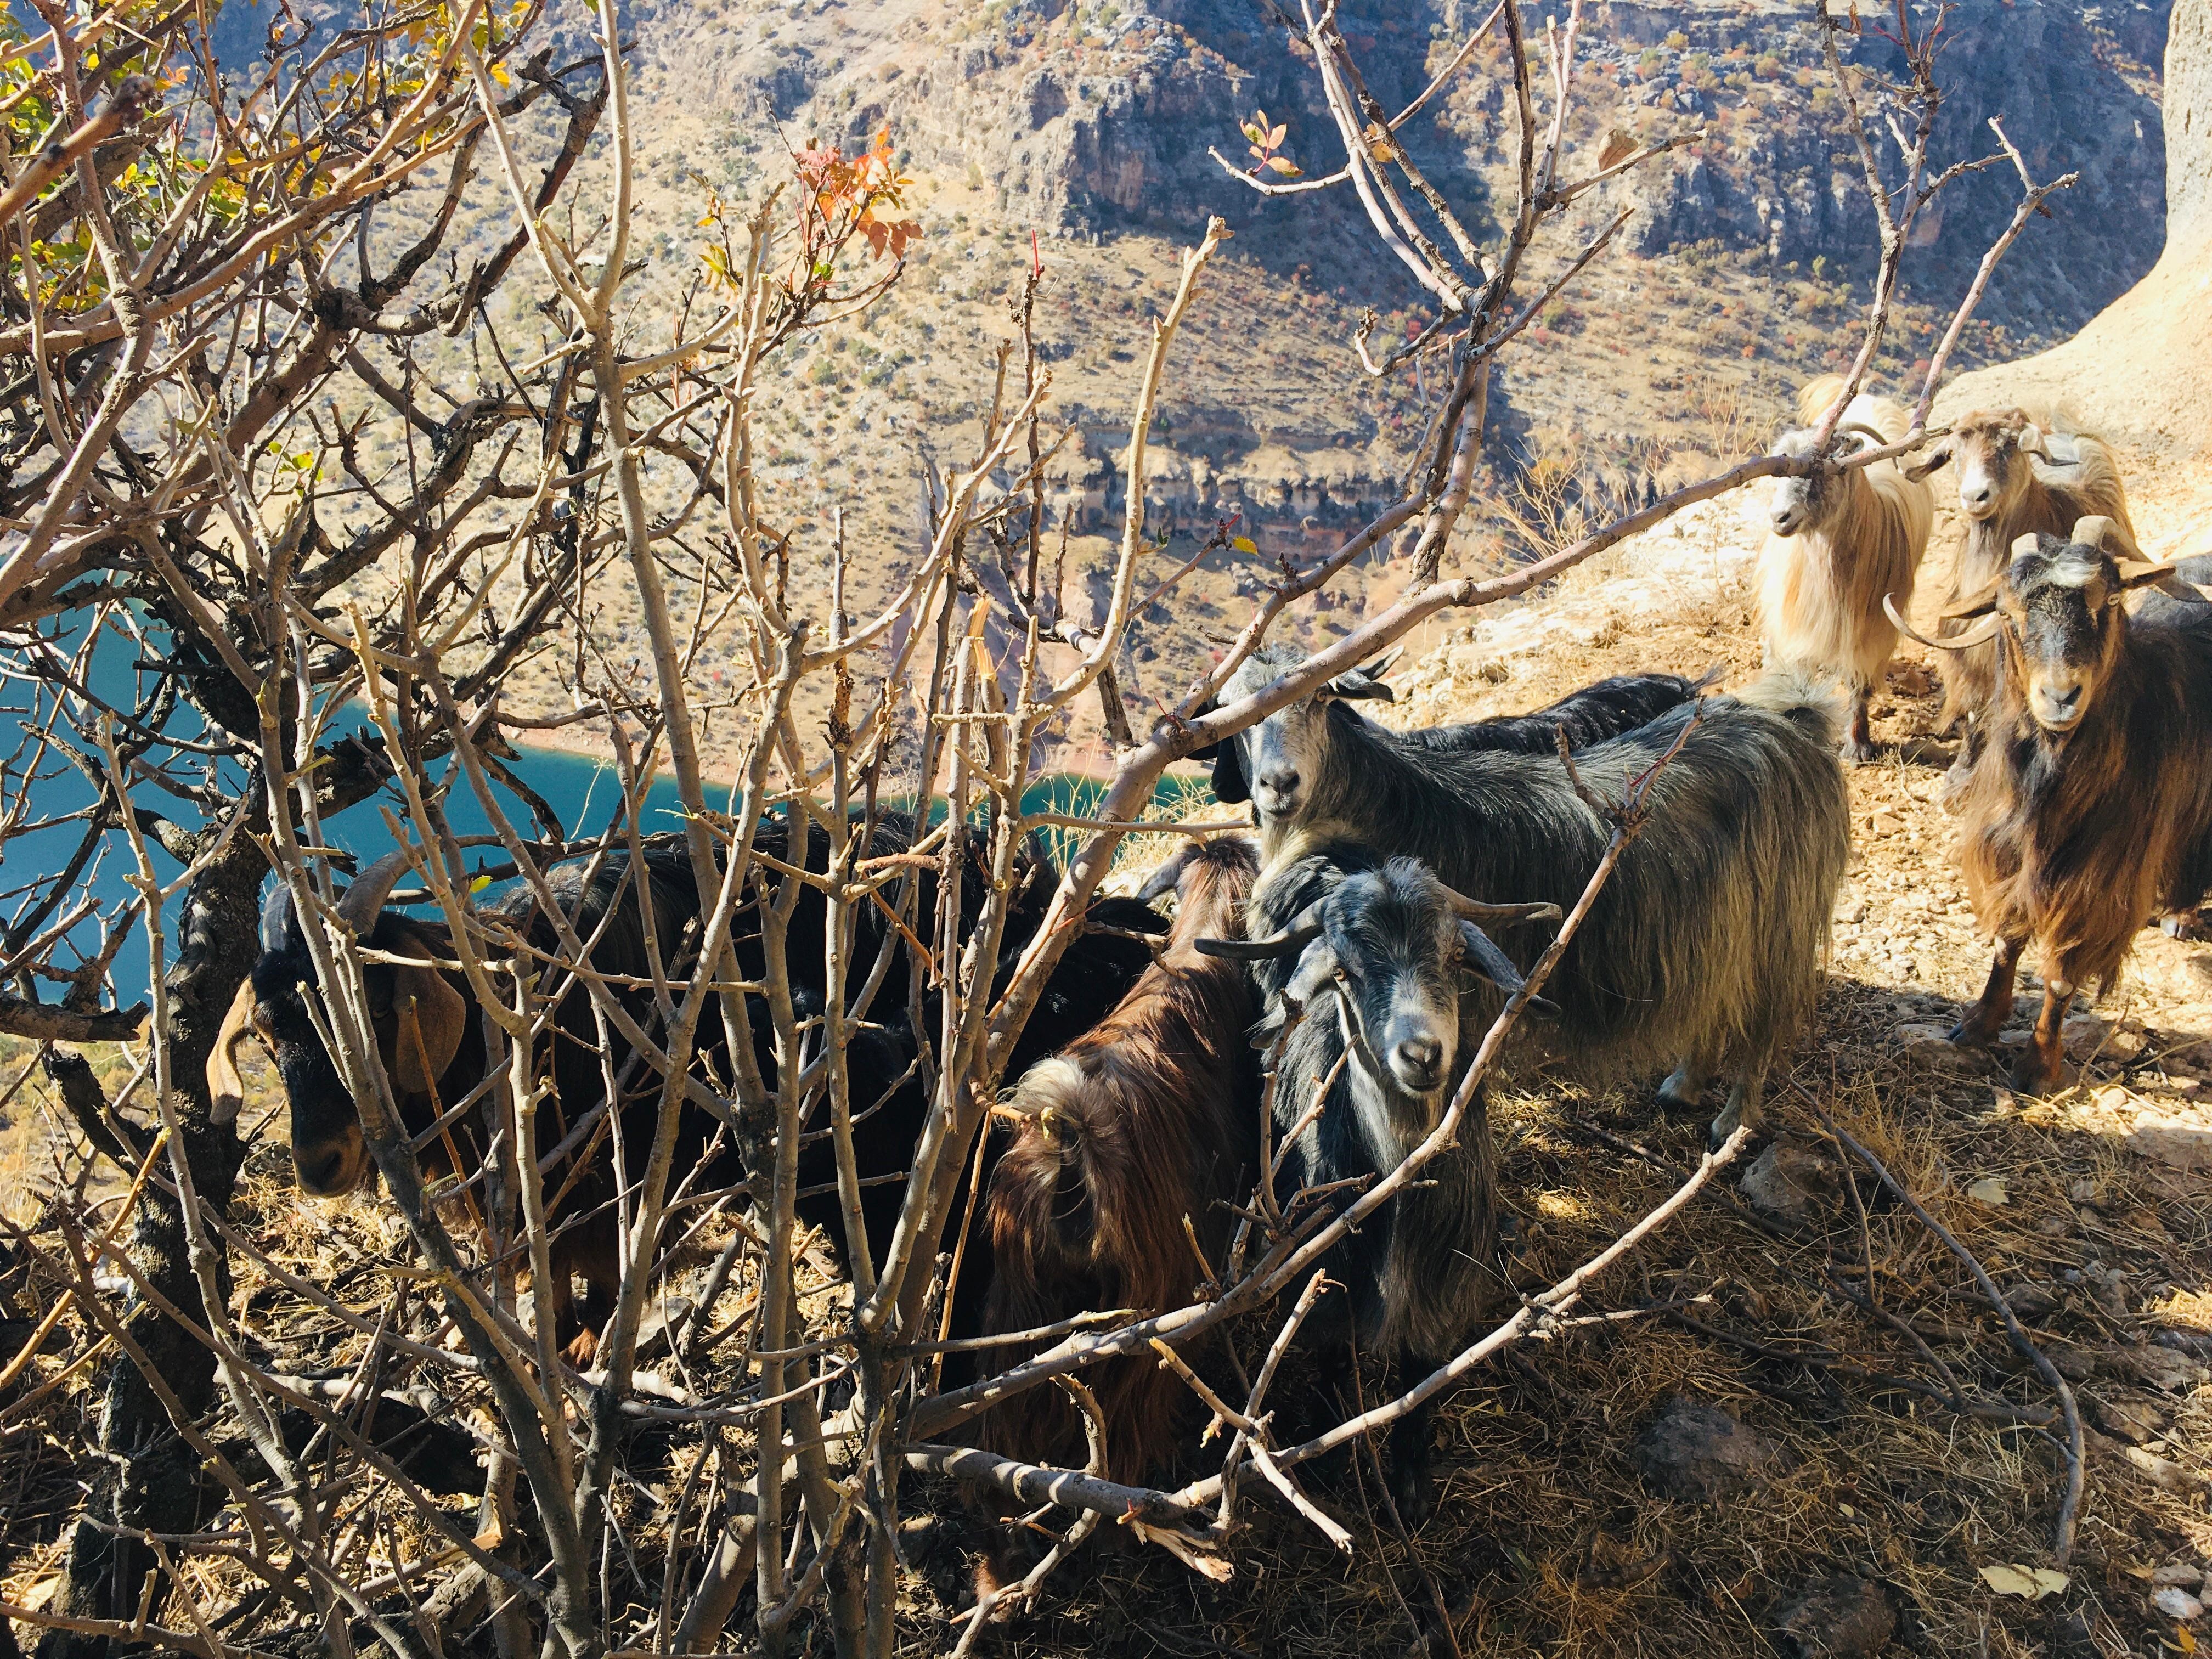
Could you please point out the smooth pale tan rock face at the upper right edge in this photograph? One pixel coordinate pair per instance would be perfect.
(2138, 373)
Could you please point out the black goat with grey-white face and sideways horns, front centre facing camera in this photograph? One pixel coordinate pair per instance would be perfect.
(1370, 952)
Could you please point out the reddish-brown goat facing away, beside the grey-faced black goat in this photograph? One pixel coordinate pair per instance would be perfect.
(1134, 1127)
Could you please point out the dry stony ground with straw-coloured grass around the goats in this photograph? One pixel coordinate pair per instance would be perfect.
(2089, 1209)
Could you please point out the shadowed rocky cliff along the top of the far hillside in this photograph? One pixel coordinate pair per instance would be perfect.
(1087, 116)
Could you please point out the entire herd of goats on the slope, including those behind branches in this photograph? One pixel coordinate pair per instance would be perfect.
(1136, 1127)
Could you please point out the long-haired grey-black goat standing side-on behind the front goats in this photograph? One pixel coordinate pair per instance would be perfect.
(1707, 943)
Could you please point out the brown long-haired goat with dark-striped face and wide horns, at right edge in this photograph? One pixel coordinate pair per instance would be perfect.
(2091, 806)
